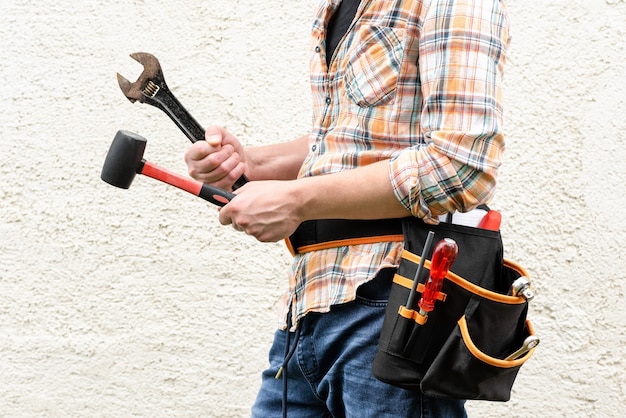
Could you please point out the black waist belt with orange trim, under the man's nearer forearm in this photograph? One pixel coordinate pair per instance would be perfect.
(331, 233)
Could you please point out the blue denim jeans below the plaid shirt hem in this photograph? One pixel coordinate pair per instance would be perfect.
(330, 372)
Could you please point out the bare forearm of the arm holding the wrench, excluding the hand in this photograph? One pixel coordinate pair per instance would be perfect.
(277, 161)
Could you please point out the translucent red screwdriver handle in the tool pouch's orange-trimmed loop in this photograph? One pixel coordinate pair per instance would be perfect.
(444, 254)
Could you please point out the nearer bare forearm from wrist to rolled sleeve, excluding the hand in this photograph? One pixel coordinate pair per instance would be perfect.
(360, 193)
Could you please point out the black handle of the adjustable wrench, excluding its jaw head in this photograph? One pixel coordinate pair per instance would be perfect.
(165, 100)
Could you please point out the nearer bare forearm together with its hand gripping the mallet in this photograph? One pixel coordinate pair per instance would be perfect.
(272, 210)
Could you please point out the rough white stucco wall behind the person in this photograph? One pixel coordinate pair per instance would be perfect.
(137, 302)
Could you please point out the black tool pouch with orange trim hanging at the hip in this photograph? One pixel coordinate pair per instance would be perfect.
(458, 351)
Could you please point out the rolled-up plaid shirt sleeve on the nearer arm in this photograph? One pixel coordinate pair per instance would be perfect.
(461, 57)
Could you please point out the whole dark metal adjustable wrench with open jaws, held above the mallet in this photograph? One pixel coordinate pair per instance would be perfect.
(151, 88)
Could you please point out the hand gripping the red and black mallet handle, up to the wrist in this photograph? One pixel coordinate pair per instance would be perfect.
(267, 210)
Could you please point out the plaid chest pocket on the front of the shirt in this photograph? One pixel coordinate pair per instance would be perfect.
(374, 65)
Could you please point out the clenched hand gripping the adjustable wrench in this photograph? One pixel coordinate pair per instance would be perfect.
(218, 161)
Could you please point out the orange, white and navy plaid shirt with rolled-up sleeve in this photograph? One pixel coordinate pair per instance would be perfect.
(416, 83)
